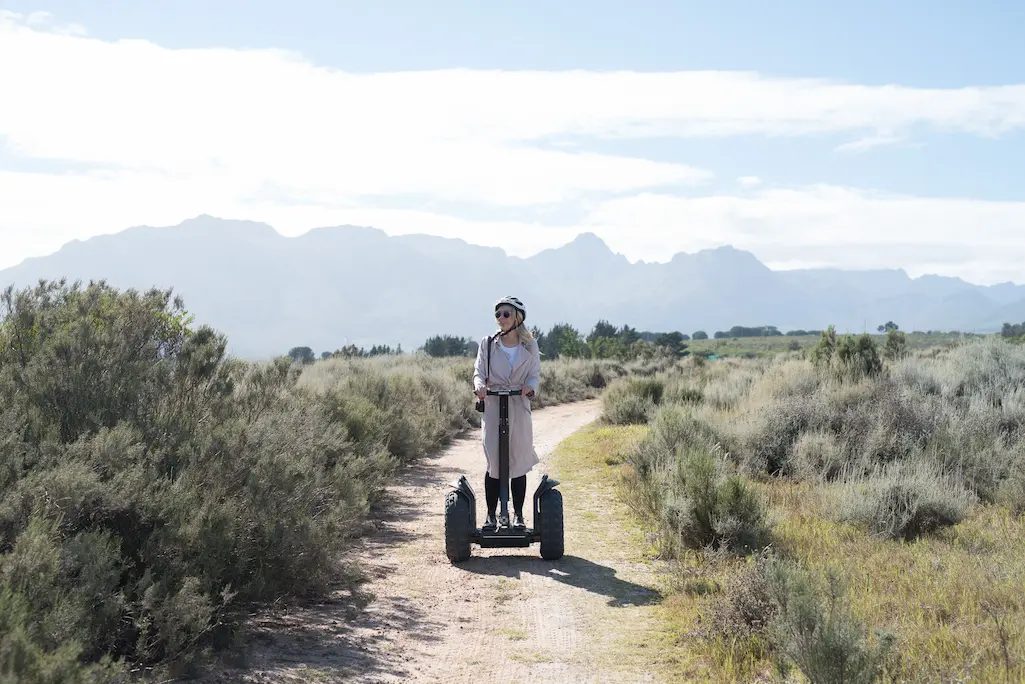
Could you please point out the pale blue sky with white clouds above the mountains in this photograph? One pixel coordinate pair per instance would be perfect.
(854, 136)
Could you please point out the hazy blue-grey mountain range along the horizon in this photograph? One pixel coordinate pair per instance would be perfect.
(357, 286)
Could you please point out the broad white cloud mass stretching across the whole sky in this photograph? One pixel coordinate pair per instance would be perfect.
(267, 136)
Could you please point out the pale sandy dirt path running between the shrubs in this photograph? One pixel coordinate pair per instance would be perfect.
(505, 616)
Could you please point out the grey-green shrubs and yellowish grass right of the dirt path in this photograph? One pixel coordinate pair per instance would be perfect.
(852, 511)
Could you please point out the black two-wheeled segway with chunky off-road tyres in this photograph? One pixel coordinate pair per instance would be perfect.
(461, 507)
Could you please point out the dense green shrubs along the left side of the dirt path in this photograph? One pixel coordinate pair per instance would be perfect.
(154, 492)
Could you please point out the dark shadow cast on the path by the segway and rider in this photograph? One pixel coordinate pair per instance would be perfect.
(571, 571)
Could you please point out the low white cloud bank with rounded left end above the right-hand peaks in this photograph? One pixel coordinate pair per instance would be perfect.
(980, 242)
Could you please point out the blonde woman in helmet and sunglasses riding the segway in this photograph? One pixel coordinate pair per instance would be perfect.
(515, 364)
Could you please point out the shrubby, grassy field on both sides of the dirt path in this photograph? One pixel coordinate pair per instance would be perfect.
(850, 510)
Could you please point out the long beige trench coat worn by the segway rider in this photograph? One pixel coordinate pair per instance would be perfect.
(525, 373)
